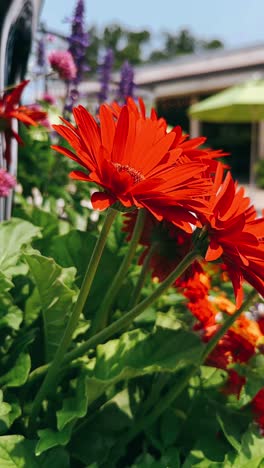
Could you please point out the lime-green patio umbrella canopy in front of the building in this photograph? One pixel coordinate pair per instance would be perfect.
(240, 103)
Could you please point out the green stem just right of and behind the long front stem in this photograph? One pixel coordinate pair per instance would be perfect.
(102, 316)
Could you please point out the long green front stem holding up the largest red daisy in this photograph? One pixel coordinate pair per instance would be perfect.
(53, 370)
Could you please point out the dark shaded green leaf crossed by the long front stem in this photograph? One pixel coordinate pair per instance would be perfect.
(75, 249)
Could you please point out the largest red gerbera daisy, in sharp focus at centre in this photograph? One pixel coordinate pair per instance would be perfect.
(131, 159)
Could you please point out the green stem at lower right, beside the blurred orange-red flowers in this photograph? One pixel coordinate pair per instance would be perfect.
(228, 323)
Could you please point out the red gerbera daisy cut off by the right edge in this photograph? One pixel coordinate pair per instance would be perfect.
(236, 235)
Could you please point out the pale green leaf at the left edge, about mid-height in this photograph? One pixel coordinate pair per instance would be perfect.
(13, 235)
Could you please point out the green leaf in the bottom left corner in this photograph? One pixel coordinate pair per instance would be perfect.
(16, 452)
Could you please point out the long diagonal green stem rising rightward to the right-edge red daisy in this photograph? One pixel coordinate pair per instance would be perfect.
(128, 318)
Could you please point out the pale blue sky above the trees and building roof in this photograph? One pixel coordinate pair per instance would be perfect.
(236, 22)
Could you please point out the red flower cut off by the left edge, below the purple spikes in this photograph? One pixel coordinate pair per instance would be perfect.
(10, 109)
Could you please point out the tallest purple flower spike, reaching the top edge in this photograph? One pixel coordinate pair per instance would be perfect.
(79, 41)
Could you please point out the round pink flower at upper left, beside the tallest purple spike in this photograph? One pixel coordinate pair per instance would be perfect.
(62, 62)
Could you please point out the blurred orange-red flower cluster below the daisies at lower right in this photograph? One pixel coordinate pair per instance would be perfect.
(238, 345)
